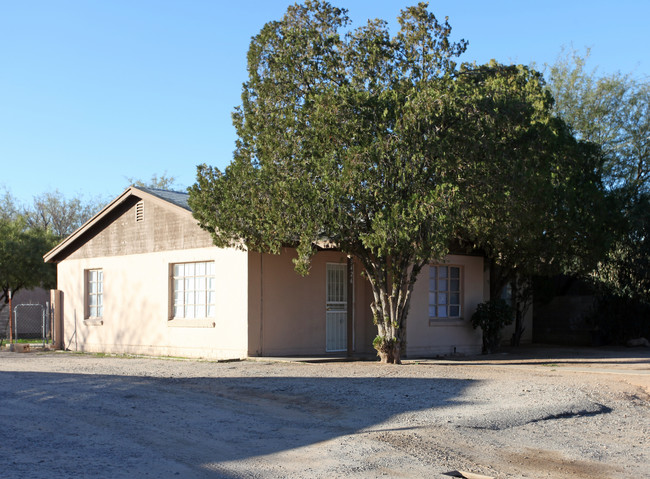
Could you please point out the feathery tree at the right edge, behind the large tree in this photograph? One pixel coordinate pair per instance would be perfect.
(614, 111)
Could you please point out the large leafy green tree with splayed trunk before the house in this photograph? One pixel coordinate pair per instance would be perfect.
(379, 143)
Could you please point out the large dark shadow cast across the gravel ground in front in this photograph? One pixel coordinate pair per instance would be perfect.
(193, 427)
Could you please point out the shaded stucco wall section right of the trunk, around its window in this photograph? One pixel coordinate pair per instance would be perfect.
(426, 337)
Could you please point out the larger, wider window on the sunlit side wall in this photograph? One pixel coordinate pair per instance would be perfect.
(193, 290)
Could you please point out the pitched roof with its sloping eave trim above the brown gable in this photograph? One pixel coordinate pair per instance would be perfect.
(172, 199)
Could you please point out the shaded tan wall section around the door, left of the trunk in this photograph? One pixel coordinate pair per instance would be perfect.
(287, 312)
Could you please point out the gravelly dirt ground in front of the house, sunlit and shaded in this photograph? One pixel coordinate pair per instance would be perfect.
(537, 413)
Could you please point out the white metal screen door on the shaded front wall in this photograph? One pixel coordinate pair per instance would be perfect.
(337, 312)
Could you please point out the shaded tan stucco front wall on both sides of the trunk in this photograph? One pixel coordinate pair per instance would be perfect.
(287, 314)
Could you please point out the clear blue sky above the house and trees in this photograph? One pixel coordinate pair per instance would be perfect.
(93, 92)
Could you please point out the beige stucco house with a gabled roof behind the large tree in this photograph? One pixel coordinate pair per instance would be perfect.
(142, 277)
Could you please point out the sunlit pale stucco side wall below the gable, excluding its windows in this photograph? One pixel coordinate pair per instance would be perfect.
(137, 306)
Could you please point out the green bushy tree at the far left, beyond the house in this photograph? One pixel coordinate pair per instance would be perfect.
(21, 258)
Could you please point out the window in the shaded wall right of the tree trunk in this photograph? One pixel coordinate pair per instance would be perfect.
(445, 292)
